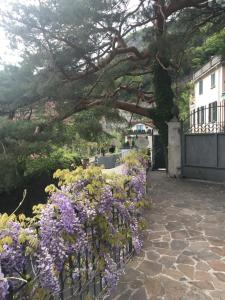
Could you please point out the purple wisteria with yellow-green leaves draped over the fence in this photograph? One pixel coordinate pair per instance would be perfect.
(82, 232)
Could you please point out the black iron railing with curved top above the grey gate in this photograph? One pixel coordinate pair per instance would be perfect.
(206, 119)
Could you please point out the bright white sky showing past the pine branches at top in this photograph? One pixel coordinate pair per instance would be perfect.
(8, 56)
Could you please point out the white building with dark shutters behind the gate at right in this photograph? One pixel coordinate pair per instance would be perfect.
(207, 104)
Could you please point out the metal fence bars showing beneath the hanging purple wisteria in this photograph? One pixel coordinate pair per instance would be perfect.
(88, 282)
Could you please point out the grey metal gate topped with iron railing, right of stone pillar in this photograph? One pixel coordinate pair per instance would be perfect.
(203, 144)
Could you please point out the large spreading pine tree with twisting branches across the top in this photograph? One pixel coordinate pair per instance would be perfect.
(104, 54)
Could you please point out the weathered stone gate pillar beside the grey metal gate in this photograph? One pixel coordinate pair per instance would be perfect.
(174, 148)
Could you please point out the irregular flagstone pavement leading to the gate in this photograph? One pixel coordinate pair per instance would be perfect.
(184, 245)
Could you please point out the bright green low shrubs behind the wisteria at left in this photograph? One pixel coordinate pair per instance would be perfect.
(19, 172)
